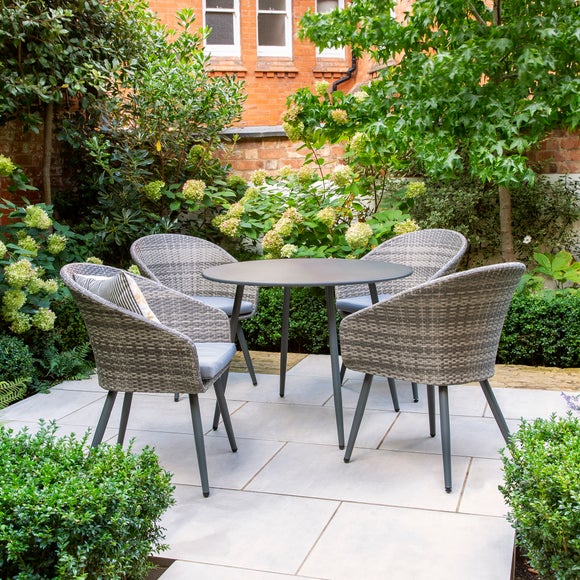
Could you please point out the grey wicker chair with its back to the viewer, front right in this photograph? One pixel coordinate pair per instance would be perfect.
(443, 332)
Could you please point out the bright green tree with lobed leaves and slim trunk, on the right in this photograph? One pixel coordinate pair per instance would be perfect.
(465, 86)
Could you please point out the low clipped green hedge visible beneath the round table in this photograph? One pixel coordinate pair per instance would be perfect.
(308, 331)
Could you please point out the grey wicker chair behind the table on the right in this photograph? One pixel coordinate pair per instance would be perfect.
(431, 253)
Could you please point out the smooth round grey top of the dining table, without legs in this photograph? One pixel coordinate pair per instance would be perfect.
(298, 272)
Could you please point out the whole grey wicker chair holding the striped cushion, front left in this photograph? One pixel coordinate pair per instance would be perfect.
(179, 343)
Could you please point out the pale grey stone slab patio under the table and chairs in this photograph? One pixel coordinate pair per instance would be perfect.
(286, 505)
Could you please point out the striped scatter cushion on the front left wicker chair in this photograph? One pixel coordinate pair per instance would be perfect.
(121, 290)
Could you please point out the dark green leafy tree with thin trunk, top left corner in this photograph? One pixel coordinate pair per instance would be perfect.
(56, 52)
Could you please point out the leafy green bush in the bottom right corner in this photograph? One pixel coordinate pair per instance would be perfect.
(542, 488)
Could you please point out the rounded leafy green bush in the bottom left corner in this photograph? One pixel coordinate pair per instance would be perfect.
(70, 513)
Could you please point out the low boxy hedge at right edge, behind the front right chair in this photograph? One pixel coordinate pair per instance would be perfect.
(542, 330)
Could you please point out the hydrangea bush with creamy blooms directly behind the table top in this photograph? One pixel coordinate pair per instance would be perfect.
(305, 213)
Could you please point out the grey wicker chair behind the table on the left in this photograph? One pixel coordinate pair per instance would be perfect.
(178, 260)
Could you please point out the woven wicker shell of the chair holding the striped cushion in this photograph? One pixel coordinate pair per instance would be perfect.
(135, 354)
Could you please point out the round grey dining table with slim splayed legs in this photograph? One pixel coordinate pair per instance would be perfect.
(291, 273)
